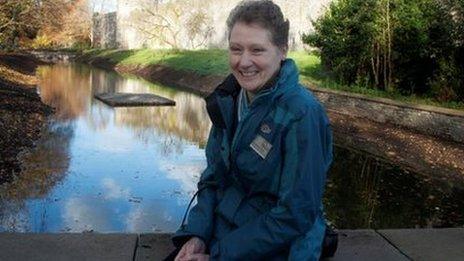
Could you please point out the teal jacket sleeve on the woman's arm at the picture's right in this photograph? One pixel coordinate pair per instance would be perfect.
(306, 157)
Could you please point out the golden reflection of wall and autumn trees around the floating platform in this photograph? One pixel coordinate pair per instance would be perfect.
(70, 89)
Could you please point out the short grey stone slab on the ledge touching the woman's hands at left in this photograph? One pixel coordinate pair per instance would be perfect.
(153, 247)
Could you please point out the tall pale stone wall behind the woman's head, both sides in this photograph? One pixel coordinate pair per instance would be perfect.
(139, 20)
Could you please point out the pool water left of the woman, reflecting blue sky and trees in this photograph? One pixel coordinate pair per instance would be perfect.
(105, 169)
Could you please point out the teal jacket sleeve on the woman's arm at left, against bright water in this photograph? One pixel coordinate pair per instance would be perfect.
(200, 218)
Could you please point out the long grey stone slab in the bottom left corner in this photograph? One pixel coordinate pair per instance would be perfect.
(69, 247)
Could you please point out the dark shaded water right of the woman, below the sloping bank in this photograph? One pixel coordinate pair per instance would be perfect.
(363, 192)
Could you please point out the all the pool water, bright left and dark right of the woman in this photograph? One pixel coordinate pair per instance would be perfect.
(102, 169)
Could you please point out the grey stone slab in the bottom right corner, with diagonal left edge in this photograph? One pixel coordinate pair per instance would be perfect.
(428, 244)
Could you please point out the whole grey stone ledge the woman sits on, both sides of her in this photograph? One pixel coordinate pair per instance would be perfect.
(363, 244)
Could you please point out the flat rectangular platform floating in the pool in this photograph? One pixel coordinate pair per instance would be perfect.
(133, 99)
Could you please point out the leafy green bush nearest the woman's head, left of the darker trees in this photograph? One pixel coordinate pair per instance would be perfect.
(345, 36)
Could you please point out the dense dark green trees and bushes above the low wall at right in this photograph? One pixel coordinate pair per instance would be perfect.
(411, 46)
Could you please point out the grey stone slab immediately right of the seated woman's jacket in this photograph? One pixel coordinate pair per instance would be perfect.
(365, 245)
